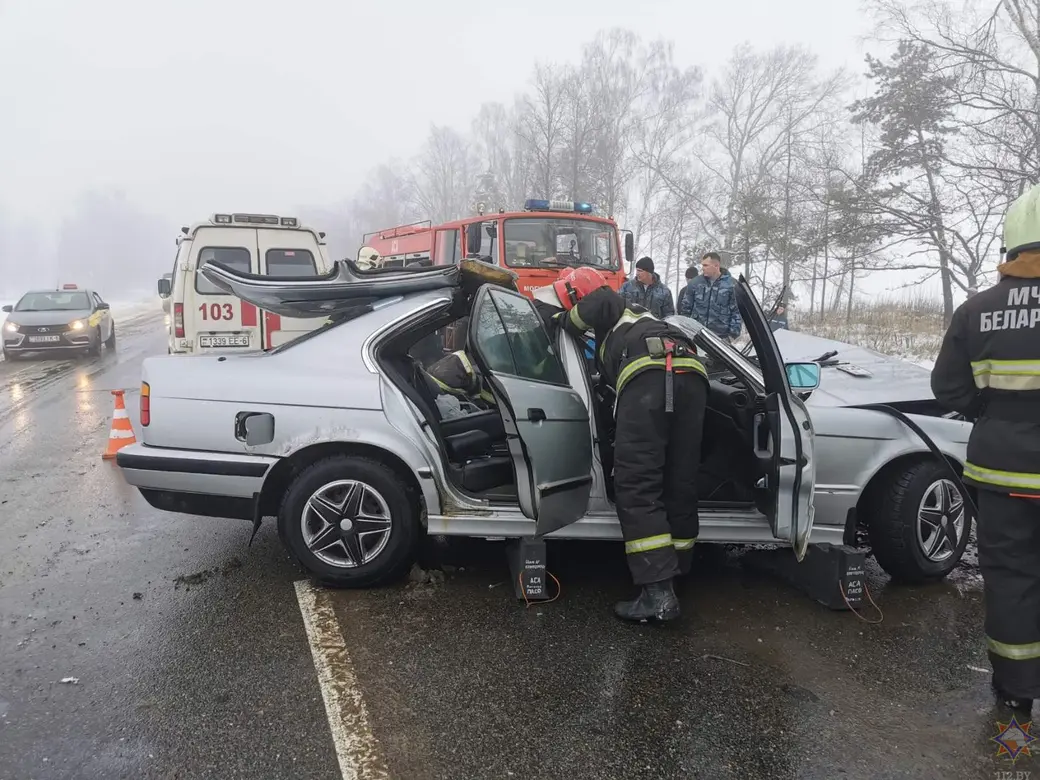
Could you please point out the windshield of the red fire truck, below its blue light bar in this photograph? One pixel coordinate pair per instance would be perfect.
(559, 243)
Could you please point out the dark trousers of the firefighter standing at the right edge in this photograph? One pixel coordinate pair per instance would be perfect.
(1009, 557)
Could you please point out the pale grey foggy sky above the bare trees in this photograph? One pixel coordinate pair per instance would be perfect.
(193, 108)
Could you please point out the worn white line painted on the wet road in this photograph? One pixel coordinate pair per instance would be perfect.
(357, 749)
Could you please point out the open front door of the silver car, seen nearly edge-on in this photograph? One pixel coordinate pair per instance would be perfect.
(784, 431)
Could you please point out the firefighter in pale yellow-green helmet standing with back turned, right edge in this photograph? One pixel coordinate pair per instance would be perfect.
(990, 371)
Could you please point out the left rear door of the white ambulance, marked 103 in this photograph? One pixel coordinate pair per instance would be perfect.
(213, 319)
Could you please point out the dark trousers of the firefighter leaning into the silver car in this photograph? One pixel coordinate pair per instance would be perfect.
(657, 459)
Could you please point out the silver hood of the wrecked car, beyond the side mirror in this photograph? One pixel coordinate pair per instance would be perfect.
(883, 380)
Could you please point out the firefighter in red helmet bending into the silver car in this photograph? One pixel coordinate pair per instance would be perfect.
(661, 389)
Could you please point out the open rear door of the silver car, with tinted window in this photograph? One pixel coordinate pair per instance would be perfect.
(547, 423)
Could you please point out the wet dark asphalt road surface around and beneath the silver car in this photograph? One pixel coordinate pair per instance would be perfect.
(190, 657)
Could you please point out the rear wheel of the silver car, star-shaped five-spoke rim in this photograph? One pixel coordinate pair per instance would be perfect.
(351, 523)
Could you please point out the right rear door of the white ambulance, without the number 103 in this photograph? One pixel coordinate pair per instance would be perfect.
(288, 253)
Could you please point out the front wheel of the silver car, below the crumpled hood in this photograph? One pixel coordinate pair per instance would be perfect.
(921, 526)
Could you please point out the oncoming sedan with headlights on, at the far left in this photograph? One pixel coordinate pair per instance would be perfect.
(69, 319)
